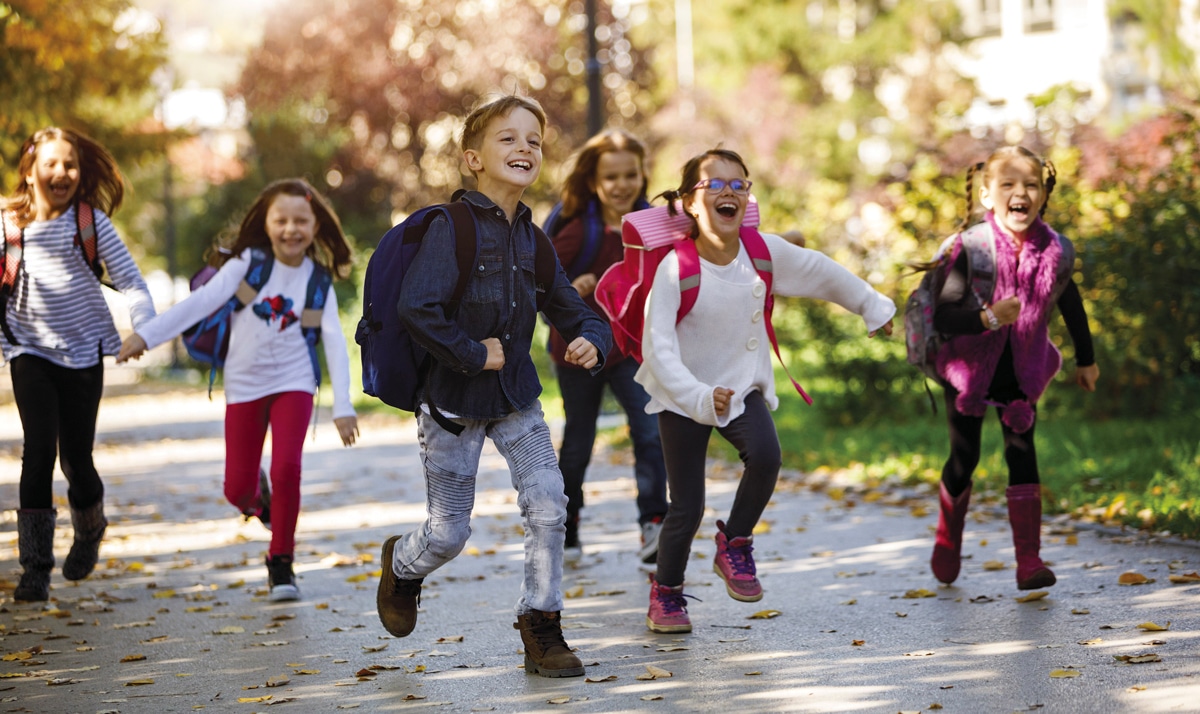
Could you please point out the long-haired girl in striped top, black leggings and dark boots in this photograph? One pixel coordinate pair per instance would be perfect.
(57, 329)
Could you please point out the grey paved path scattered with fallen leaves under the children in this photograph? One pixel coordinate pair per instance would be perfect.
(177, 620)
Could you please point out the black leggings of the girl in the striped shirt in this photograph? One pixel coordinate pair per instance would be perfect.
(58, 409)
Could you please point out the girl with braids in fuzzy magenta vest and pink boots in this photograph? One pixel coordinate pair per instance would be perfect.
(1001, 356)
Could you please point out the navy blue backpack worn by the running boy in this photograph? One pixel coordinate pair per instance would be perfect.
(394, 365)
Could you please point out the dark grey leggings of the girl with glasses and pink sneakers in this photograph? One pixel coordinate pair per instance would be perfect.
(685, 449)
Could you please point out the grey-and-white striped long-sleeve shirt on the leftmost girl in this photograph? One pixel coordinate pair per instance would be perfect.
(57, 310)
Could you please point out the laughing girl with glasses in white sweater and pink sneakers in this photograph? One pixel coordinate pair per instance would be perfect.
(713, 370)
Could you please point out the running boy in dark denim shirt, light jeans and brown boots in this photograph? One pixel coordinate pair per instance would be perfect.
(483, 383)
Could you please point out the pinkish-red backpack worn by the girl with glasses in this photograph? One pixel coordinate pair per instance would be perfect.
(649, 237)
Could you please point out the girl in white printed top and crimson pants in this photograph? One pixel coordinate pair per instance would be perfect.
(268, 371)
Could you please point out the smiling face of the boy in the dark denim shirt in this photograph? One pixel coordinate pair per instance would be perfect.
(509, 152)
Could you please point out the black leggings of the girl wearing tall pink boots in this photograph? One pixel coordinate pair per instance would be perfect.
(967, 435)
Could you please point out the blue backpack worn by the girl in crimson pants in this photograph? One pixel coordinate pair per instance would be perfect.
(208, 341)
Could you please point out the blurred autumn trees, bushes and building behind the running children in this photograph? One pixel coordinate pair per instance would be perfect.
(859, 119)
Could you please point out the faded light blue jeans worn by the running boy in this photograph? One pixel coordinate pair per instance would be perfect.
(451, 466)
